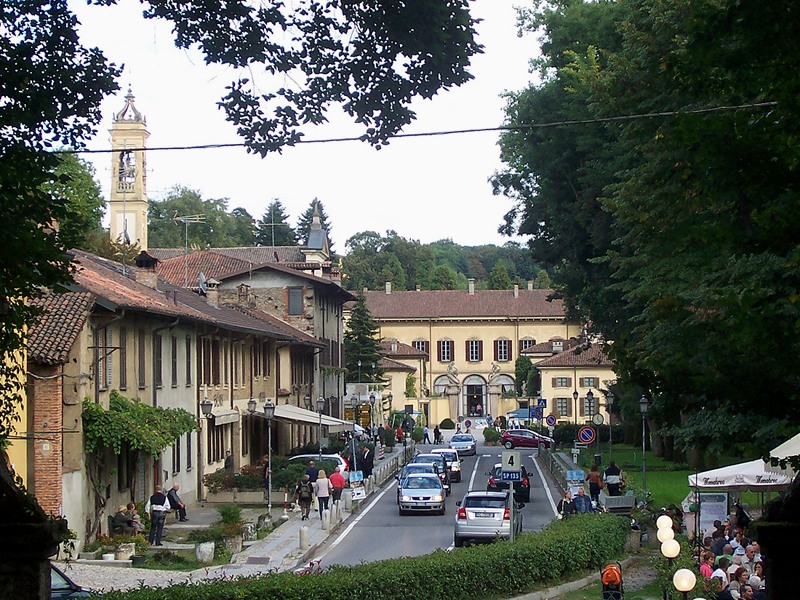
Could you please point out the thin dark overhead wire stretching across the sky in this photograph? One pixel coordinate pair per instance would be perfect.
(524, 127)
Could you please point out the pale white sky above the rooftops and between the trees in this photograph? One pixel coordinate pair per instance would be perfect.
(425, 189)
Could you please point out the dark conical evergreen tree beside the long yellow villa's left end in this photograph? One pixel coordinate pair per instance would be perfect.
(362, 345)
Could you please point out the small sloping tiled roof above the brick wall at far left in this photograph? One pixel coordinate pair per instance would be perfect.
(62, 319)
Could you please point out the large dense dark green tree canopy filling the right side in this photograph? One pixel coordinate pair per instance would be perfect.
(671, 234)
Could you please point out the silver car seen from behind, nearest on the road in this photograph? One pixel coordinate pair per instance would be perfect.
(486, 516)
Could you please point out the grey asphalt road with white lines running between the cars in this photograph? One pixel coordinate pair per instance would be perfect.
(377, 532)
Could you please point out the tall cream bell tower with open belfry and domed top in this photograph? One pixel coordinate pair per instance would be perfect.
(128, 200)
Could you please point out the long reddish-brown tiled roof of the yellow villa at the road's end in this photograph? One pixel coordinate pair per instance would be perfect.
(461, 304)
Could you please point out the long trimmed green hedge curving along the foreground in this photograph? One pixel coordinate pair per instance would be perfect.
(565, 548)
